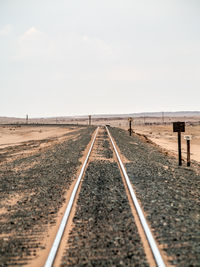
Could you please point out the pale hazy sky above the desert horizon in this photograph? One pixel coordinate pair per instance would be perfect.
(79, 57)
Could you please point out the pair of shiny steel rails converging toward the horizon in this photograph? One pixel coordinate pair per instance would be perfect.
(152, 244)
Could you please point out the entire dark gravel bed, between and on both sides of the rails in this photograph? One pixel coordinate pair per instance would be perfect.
(104, 231)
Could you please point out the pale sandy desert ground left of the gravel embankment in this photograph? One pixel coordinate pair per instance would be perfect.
(20, 141)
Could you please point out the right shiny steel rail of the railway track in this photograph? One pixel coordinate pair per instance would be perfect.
(155, 251)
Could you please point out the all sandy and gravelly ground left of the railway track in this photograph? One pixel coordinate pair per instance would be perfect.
(36, 176)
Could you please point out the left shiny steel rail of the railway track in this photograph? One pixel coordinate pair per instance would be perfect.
(52, 254)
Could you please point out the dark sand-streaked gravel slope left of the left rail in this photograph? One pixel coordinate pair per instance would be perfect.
(31, 194)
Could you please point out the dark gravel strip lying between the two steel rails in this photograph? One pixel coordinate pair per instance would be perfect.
(104, 232)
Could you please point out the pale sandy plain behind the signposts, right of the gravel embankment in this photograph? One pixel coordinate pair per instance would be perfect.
(162, 135)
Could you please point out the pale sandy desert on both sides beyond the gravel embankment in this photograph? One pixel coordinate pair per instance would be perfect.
(162, 135)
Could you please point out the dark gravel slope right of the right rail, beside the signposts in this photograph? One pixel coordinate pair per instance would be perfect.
(169, 195)
